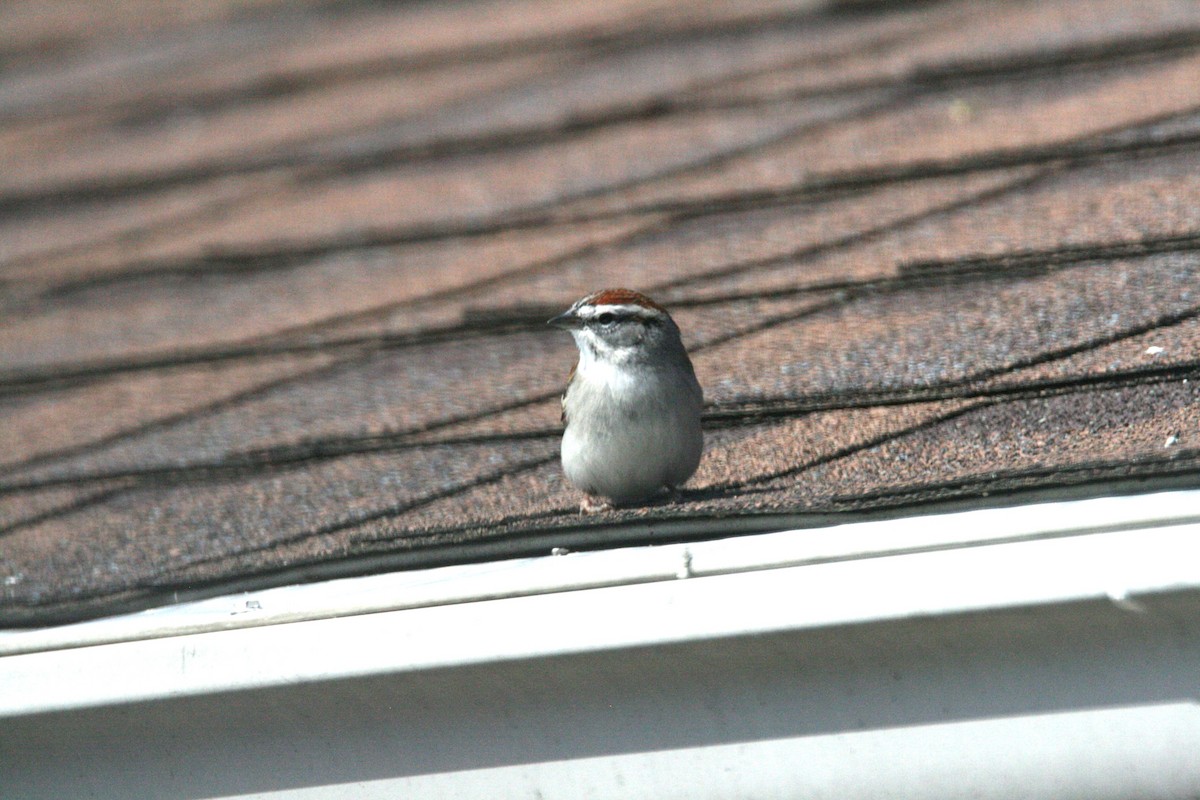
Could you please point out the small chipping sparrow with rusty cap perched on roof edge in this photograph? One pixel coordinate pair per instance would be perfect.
(632, 405)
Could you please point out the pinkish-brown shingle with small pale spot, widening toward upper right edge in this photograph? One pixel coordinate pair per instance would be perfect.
(940, 131)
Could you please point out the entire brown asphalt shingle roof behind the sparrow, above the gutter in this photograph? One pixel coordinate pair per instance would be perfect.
(274, 275)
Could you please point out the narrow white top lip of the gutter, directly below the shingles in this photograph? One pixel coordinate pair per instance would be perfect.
(577, 572)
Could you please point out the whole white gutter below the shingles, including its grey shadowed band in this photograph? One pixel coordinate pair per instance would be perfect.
(1048, 651)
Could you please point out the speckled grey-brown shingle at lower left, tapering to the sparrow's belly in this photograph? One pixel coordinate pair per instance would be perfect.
(239, 515)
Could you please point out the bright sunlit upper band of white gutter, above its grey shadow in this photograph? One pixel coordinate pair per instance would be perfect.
(1114, 550)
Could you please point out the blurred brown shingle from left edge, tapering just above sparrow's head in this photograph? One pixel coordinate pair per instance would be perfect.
(185, 306)
